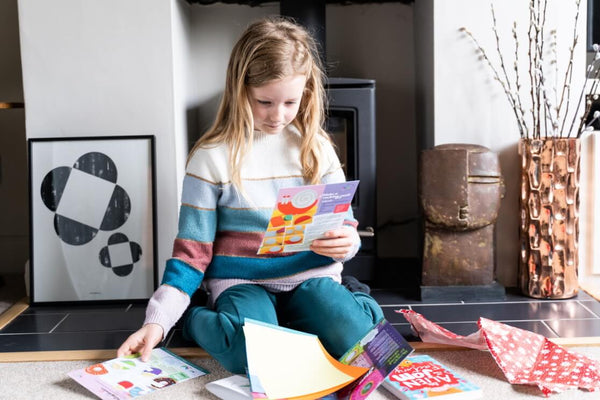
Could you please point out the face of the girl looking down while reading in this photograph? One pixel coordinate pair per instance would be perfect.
(275, 104)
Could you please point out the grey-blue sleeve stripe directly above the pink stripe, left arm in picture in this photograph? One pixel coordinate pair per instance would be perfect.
(198, 225)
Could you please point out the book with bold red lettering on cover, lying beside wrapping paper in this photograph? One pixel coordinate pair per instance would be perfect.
(423, 377)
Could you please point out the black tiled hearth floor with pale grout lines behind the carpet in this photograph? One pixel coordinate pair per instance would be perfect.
(93, 327)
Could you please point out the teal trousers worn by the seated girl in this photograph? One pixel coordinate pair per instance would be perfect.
(319, 306)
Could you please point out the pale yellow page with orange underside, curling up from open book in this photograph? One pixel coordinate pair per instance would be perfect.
(293, 364)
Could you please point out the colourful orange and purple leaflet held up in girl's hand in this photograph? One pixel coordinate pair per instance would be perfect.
(304, 213)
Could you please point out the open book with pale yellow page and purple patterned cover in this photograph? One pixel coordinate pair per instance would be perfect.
(288, 364)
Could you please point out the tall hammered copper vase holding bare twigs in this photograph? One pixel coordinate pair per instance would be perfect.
(549, 228)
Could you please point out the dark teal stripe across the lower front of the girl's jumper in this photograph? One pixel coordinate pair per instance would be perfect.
(225, 267)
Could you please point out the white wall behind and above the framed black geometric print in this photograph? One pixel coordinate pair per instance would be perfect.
(105, 68)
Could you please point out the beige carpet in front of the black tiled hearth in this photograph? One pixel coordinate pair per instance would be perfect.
(49, 380)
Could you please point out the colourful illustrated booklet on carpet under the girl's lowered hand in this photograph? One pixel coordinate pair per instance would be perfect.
(128, 377)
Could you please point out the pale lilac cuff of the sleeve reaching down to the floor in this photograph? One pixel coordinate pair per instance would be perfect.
(165, 307)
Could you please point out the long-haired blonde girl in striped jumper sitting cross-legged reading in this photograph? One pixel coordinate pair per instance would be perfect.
(267, 135)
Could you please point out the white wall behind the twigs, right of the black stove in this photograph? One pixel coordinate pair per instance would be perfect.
(470, 107)
